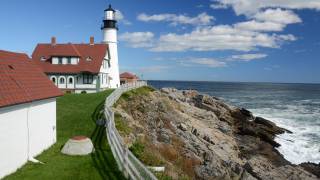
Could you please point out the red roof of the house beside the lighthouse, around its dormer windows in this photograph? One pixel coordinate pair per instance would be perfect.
(95, 52)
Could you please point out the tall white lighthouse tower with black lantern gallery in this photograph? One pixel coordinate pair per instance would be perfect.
(109, 29)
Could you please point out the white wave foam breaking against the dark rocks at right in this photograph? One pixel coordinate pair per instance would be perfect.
(299, 146)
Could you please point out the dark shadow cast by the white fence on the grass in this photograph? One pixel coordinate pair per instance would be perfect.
(102, 158)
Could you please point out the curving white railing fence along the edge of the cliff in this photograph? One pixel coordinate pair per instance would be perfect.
(131, 167)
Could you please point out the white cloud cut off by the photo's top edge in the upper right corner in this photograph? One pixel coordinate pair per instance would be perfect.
(250, 7)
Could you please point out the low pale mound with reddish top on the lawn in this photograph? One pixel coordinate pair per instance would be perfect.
(78, 145)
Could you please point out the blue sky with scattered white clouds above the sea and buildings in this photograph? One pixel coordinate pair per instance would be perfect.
(193, 40)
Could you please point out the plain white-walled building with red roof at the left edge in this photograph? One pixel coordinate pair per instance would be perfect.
(27, 111)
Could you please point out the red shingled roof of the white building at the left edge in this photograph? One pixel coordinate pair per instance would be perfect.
(22, 81)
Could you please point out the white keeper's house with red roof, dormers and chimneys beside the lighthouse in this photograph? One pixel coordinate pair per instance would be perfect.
(75, 67)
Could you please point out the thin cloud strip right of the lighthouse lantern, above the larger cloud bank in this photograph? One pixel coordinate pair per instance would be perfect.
(201, 19)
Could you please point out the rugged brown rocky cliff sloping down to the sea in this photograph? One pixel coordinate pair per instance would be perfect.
(198, 136)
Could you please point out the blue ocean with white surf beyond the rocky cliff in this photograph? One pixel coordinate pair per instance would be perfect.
(295, 107)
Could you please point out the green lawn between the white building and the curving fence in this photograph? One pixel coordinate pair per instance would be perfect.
(76, 115)
